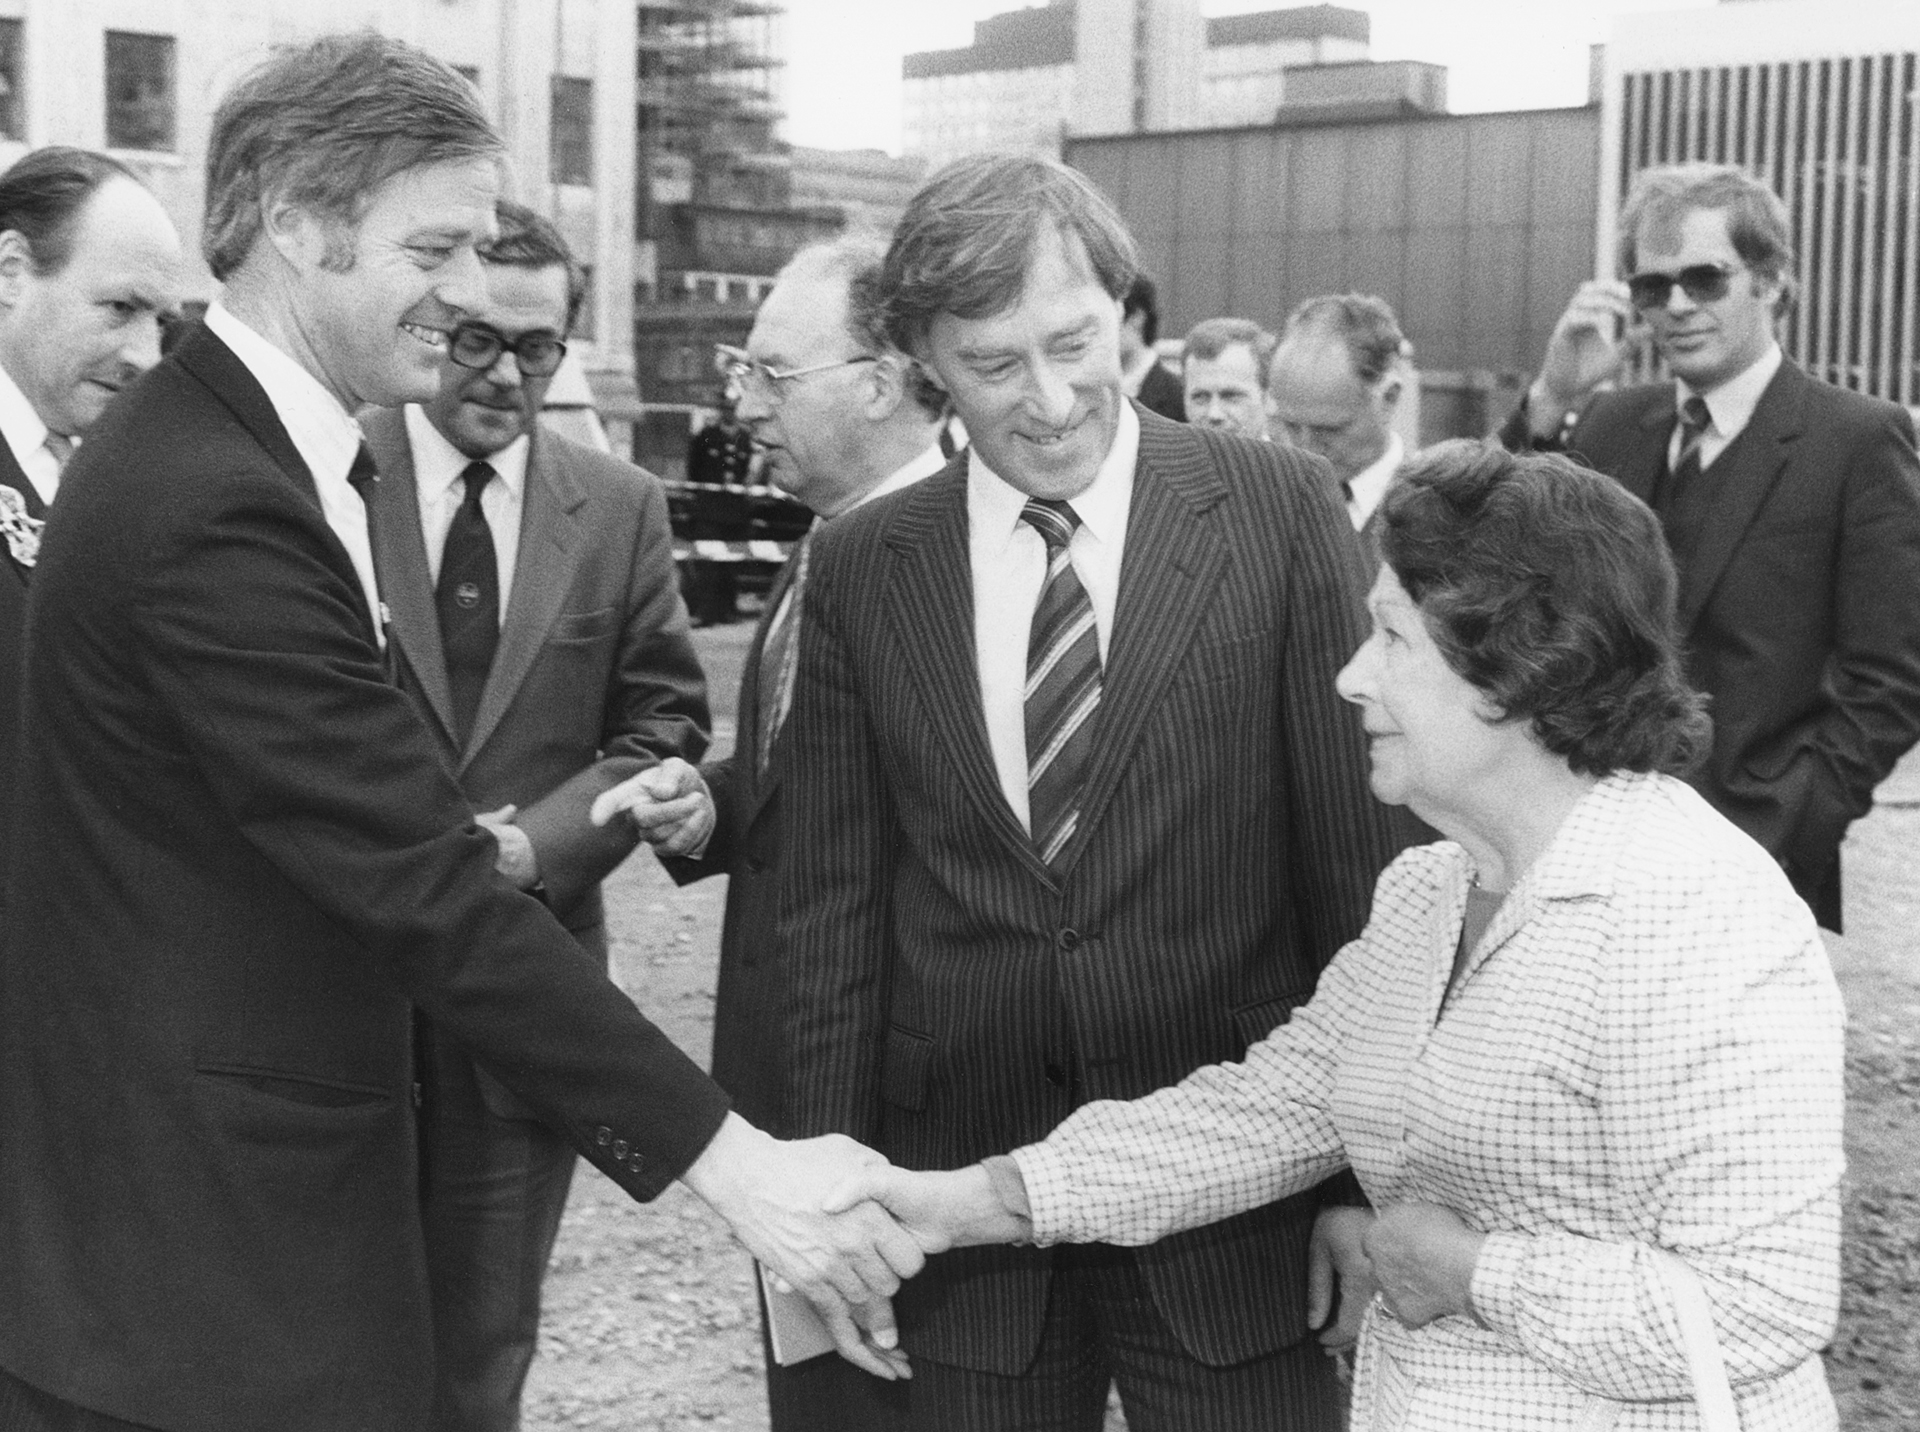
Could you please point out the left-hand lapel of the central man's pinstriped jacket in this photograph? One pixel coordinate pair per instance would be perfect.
(930, 600)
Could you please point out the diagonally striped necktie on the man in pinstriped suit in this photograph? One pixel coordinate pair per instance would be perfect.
(1063, 686)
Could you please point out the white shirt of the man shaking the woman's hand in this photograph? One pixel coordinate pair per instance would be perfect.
(325, 437)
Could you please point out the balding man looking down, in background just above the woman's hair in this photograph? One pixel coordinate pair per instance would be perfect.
(1337, 383)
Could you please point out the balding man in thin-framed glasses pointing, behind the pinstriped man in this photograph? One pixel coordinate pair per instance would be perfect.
(861, 423)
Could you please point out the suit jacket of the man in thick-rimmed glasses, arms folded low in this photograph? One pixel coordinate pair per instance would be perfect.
(596, 675)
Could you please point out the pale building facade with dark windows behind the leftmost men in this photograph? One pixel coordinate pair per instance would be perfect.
(141, 78)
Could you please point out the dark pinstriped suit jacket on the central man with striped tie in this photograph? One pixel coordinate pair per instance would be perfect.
(948, 984)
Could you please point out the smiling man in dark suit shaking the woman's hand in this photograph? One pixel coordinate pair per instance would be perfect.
(251, 861)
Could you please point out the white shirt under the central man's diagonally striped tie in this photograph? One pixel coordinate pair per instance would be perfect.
(1009, 573)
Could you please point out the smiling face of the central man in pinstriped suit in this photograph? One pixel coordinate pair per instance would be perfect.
(1038, 385)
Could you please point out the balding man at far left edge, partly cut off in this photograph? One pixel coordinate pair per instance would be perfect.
(89, 272)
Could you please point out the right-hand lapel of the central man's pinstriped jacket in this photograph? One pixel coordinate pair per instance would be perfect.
(1168, 575)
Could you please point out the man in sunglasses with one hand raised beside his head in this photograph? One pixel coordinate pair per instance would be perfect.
(1792, 510)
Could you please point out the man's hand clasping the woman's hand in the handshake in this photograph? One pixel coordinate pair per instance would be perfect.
(848, 1264)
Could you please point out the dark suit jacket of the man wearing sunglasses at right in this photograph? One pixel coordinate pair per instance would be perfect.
(1800, 611)
